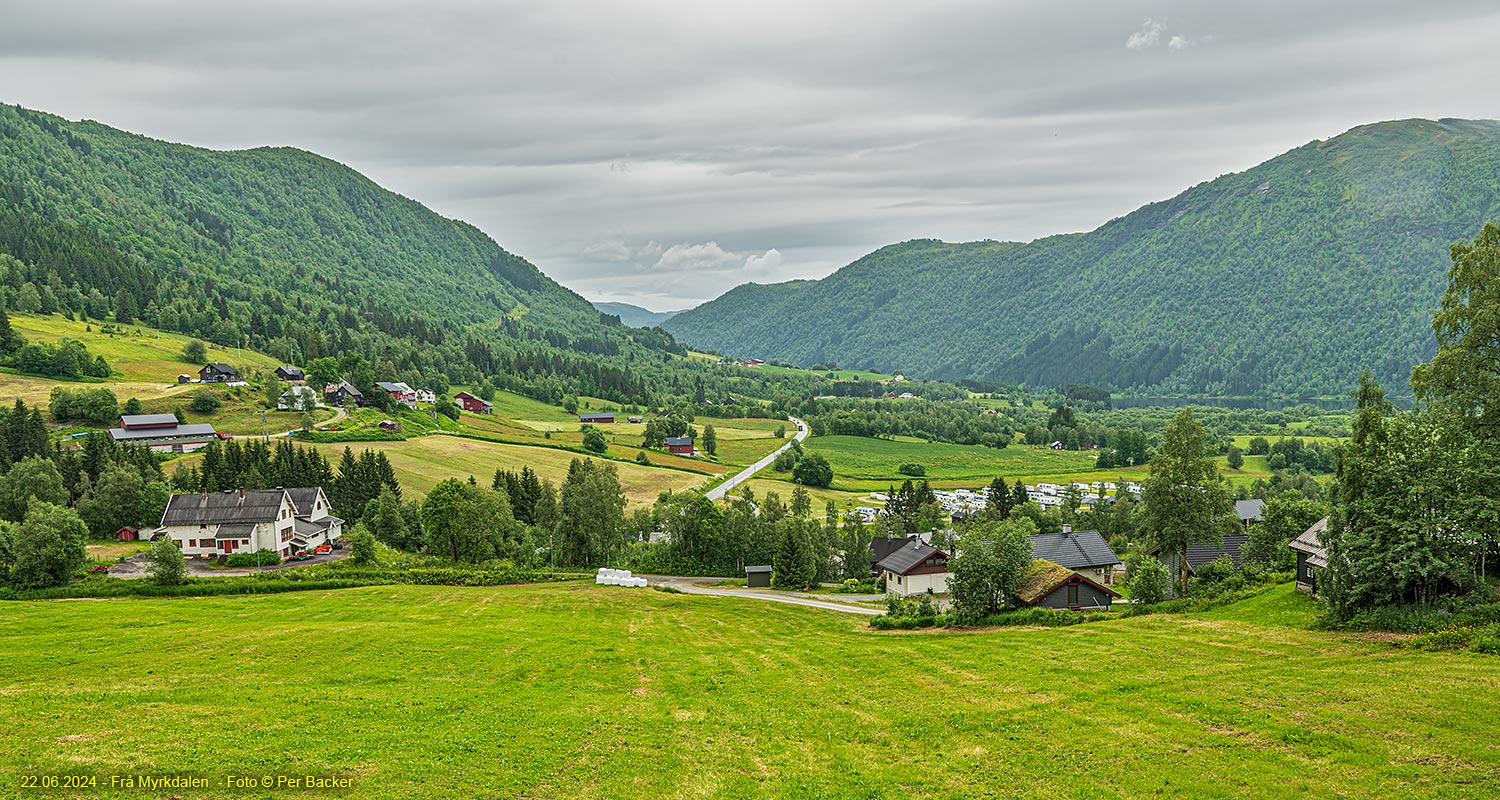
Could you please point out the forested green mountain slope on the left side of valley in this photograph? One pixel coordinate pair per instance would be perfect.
(301, 257)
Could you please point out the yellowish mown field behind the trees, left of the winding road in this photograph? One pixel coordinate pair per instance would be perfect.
(422, 463)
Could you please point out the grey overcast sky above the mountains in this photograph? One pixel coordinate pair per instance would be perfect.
(664, 152)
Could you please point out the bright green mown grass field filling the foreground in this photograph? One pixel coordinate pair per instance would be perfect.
(601, 693)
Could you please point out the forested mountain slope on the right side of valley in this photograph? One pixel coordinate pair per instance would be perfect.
(1289, 278)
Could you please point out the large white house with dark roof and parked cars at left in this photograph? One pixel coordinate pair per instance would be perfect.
(281, 522)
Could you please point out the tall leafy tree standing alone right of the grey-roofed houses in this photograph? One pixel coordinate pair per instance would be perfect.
(1184, 498)
